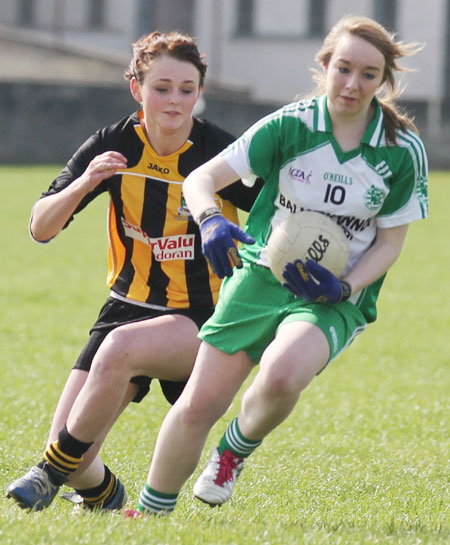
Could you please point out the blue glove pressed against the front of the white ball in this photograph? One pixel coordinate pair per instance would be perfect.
(312, 282)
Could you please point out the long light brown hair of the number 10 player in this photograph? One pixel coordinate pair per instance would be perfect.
(385, 42)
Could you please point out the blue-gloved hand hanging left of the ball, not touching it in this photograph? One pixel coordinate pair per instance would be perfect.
(218, 246)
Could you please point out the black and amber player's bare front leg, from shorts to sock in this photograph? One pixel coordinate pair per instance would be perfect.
(162, 347)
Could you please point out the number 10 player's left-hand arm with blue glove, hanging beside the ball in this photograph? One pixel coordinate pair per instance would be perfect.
(218, 234)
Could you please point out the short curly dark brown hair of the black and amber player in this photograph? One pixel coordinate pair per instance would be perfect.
(174, 44)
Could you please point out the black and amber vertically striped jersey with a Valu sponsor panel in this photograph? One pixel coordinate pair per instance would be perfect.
(154, 252)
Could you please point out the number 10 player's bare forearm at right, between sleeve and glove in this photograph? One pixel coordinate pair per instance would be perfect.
(379, 257)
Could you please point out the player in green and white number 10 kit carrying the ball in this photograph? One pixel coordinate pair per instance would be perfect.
(348, 153)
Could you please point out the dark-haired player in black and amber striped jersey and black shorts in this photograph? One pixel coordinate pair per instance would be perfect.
(162, 290)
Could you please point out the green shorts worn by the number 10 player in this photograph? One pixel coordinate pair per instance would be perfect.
(253, 305)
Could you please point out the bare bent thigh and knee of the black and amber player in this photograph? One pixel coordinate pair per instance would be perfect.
(163, 347)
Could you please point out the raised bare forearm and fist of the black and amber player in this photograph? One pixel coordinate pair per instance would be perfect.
(51, 213)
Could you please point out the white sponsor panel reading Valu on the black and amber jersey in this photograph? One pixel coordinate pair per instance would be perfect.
(163, 248)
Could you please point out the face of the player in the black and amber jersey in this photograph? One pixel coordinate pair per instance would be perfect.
(169, 93)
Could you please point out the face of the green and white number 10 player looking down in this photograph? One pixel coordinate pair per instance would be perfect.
(353, 75)
